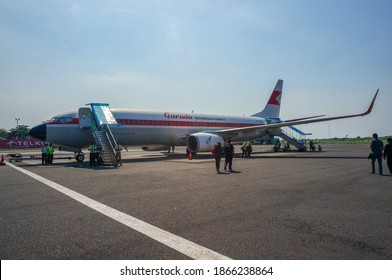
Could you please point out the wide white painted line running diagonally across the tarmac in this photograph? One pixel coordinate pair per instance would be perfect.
(173, 241)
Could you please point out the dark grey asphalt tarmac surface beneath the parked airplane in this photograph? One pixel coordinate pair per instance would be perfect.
(313, 205)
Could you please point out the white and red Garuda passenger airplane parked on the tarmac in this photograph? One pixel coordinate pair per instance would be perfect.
(159, 130)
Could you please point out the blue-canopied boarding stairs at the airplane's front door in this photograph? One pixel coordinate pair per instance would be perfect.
(102, 120)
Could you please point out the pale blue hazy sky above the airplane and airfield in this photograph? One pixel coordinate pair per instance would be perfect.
(207, 56)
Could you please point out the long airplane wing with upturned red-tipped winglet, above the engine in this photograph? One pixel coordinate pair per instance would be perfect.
(229, 133)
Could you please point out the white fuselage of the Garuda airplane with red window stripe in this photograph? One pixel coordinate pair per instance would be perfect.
(139, 127)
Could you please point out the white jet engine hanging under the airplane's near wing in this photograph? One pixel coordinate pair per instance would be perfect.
(203, 142)
